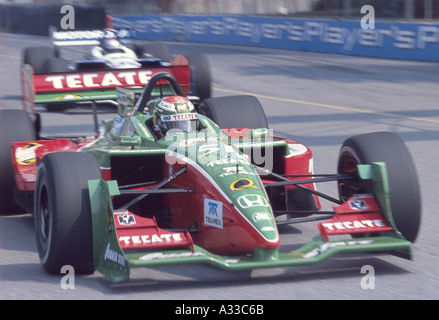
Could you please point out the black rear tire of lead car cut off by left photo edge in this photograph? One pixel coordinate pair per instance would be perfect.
(15, 126)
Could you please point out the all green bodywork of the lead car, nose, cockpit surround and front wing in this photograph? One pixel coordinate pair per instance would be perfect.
(115, 264)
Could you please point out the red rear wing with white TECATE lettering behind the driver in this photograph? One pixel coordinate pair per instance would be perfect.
(77, 86)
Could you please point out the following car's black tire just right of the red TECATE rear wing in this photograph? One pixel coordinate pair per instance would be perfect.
(201, 80)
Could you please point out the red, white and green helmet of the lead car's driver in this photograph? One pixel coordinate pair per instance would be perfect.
(175, 112)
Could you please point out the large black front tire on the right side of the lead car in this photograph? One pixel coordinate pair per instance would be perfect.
(405, 198)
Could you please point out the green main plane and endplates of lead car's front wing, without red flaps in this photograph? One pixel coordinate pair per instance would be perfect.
(314, 251)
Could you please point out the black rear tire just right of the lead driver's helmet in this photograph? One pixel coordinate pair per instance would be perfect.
(240, 111)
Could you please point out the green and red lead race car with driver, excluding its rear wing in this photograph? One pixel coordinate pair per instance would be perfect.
(173, 181)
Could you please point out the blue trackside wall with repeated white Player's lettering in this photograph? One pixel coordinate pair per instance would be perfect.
(412, 41)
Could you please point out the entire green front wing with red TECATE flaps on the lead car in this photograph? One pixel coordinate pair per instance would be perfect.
(367, 218)
